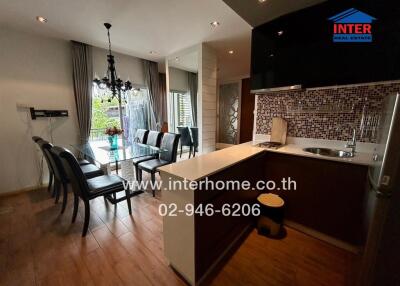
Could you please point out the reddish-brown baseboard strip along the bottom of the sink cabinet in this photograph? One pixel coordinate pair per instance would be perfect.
(326, 238)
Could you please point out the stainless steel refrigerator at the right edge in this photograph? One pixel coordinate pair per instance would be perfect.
(382, 252)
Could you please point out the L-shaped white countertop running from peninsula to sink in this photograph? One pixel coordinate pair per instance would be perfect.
(204, 165)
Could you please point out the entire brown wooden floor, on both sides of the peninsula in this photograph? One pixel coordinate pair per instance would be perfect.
(38, 246)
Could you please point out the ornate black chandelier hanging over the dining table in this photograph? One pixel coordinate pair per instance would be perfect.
(111, 82)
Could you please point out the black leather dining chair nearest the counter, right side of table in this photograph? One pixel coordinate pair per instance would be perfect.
(170, 144)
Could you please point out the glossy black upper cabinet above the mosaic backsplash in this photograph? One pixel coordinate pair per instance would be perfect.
(298, 49)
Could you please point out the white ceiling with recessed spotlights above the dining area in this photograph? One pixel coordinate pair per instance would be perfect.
(139, 26)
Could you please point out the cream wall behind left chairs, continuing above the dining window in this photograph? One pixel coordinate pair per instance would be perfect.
(37, 72)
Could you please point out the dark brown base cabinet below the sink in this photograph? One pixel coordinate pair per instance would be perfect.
(329, 196)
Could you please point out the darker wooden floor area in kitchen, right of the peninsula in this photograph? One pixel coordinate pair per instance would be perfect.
(297, 259)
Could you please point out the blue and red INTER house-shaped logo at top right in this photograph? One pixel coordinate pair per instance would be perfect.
(352, 26)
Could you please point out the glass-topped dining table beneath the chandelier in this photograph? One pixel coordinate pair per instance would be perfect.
(101, 153)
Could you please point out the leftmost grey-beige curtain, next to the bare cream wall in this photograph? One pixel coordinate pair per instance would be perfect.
(82, 68)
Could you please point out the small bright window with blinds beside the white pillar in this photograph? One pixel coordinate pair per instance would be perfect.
(182, 108)
